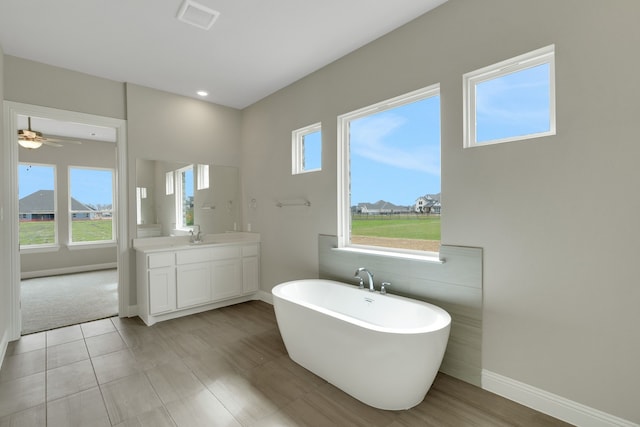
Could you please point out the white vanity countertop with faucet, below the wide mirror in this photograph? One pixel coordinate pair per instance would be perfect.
(160, 244)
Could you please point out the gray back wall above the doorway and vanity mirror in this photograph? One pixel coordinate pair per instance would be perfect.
(159, 126)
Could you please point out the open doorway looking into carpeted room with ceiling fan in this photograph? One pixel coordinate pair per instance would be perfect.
(66, 193)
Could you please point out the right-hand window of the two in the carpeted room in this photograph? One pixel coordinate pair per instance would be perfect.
(91, 205)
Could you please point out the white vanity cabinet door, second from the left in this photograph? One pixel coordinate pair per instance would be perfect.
(194, 284)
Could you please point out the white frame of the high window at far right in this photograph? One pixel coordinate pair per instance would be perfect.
(545, 55)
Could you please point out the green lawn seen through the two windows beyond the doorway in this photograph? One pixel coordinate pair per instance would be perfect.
(42, 232)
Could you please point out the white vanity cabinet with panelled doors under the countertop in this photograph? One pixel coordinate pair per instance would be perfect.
(176, 281)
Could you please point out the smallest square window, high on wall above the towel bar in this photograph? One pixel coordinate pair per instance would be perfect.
(307, 149)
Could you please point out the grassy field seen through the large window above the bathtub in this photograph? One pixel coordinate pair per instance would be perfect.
(420, 227)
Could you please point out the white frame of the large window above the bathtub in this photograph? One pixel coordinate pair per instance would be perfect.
(344, 176)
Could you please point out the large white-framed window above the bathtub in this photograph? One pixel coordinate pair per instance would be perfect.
(389, 174)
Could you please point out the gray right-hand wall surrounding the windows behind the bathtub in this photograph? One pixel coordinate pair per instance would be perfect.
(556, 217)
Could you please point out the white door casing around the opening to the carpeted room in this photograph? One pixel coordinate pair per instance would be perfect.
(13, 113)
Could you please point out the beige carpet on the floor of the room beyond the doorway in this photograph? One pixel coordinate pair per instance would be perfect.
(56, 301)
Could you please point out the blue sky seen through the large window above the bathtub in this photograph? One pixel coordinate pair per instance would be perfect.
(395, 154)
